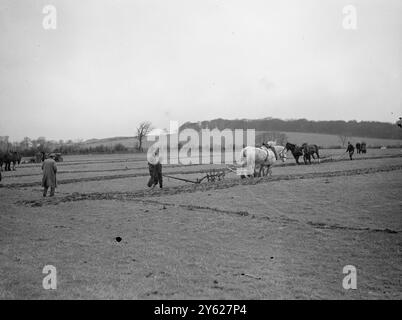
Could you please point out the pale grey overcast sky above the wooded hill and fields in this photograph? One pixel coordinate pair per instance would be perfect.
(111, 64)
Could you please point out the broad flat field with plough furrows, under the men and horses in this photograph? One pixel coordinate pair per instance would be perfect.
(284, 236)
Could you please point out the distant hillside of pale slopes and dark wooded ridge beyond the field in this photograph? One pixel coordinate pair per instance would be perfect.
(323, 133)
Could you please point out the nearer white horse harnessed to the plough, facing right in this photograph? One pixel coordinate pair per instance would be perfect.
(253, 157)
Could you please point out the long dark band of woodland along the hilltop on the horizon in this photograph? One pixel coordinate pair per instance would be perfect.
(368, 129)
